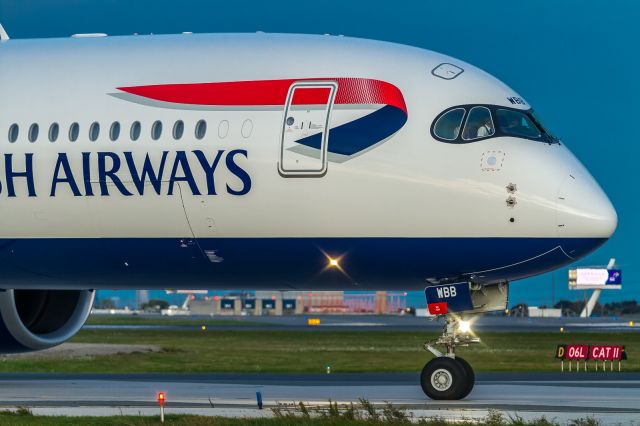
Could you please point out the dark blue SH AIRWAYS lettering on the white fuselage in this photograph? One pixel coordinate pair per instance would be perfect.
(102, 173)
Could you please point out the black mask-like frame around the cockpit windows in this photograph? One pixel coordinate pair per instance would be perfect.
(545, 137)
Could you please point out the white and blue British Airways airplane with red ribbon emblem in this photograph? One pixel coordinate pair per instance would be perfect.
(275, 161)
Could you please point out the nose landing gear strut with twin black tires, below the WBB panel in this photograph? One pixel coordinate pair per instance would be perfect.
(447, 376)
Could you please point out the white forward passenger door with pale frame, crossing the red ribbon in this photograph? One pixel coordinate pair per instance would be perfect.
(298, 160)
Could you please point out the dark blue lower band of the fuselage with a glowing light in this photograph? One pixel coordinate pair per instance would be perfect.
(269, 263)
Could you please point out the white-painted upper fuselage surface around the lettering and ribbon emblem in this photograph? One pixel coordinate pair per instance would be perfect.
(410, 185)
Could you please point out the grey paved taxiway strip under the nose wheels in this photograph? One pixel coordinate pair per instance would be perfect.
(610, 397)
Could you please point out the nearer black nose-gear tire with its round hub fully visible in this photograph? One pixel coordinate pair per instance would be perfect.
(443, 378)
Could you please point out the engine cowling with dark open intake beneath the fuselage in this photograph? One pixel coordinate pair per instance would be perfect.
(33, 320)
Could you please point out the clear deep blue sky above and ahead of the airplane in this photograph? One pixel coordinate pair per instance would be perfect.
(576, 62)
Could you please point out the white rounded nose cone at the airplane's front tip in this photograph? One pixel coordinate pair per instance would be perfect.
(584, 210)
